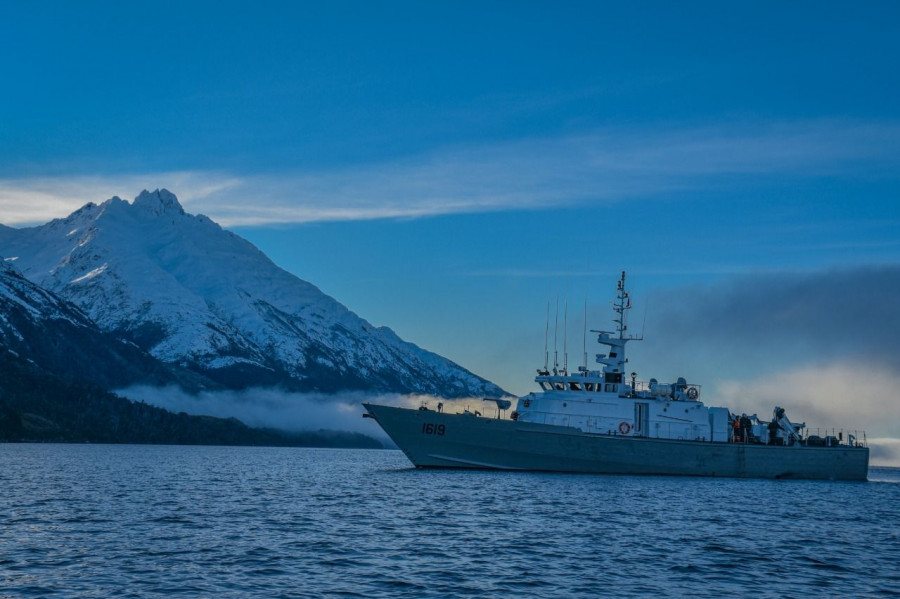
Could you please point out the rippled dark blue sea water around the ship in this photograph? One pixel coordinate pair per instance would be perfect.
(147, 521)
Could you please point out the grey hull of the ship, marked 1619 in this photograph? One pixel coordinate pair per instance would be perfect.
(437, 440)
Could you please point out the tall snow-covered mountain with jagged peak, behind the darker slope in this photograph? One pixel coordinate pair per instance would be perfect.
(195, 295)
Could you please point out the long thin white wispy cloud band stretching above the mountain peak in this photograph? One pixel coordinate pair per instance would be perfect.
(530, 174)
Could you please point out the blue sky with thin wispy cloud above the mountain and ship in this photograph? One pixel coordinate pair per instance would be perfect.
(446, 168)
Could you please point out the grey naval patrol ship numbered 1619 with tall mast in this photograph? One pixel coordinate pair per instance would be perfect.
(599, 421)
